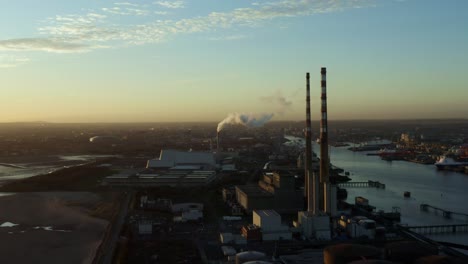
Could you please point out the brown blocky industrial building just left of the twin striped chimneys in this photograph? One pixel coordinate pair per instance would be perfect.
(274, 191)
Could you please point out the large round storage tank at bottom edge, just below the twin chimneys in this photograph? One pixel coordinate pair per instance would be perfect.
(344, 253)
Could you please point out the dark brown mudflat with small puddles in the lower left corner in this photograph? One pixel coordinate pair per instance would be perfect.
(52, 227)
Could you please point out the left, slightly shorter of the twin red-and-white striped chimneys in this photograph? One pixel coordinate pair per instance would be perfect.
(309, 178)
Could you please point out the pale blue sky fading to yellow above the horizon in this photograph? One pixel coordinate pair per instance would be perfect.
(200, 60)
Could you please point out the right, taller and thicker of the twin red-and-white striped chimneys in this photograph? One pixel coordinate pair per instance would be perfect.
(324, 156)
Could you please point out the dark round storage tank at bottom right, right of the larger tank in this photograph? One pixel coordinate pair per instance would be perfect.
(407, 252)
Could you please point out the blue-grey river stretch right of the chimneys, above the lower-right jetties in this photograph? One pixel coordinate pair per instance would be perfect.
(442, 189)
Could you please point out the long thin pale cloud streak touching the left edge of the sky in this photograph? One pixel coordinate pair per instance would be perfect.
(42, 44)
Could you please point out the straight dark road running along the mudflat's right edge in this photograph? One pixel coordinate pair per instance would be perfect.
(106, 251)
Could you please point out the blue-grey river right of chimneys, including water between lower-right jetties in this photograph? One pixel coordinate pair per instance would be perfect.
(443, 189)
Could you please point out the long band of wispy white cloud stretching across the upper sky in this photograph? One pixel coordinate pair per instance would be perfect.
(85, 32)
